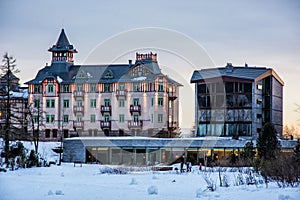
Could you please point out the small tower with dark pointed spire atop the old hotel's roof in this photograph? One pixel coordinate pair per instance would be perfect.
(62, 51)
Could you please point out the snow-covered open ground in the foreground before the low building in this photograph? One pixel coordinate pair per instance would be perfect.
(87, 182)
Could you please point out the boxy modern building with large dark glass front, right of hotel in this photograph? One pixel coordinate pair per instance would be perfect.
(237, 101)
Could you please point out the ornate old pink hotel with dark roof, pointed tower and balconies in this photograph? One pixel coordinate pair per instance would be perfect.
(134, 99)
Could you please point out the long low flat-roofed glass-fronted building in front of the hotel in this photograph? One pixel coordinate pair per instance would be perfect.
(150, 151)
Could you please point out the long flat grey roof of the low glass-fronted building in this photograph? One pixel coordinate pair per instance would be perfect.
(199, 142)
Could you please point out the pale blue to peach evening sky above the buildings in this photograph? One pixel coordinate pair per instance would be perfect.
(259, 33)
